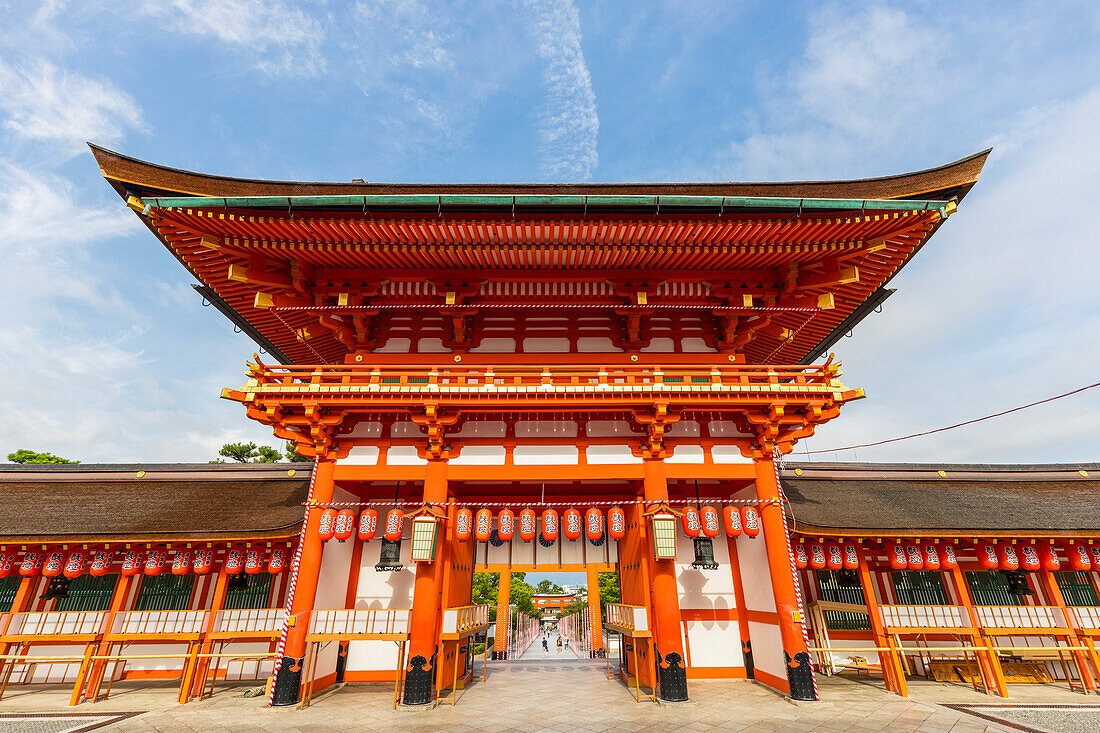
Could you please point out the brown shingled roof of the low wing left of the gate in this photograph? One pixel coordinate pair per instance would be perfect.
(196, 502)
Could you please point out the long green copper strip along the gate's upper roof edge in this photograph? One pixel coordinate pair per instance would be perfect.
(548, 201)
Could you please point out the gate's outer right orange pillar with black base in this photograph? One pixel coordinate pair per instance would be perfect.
(800, 675)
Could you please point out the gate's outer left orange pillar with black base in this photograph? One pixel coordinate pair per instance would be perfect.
(304, 590)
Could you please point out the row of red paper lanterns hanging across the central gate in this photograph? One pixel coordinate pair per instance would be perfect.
(342, 524)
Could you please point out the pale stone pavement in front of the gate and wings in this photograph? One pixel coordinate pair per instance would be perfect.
(555, 696)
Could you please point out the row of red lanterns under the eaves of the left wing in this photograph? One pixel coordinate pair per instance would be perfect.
(72, 564)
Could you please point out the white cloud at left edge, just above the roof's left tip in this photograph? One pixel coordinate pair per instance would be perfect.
(41, 103)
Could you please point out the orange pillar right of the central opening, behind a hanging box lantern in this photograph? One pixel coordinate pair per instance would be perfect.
(672, 675)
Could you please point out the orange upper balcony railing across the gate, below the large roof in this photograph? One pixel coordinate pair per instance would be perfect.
(515, 378)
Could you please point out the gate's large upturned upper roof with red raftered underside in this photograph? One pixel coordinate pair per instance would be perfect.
(240, 237)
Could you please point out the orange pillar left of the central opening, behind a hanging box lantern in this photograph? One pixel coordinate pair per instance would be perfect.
(425, 618)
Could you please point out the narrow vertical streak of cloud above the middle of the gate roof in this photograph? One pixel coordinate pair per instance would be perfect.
(568, 125)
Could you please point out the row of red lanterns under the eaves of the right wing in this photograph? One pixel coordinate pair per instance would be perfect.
(936, 556)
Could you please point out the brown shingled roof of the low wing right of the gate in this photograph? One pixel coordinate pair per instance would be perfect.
(908, 500)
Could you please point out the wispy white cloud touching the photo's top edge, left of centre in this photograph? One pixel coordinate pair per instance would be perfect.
(283, 40)
